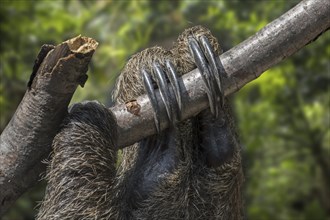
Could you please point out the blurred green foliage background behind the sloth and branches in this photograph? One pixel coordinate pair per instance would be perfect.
(283, 116)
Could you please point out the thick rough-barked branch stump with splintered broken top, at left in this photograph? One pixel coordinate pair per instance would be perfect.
(27, 139)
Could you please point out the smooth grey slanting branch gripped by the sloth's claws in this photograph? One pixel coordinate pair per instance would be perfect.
(243, 63)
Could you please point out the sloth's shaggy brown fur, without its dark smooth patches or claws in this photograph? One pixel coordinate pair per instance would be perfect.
(82, 183)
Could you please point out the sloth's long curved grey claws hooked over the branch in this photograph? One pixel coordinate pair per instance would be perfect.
(209, 66)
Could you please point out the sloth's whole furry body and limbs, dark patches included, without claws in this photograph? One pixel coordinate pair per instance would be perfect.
(191, 170)
